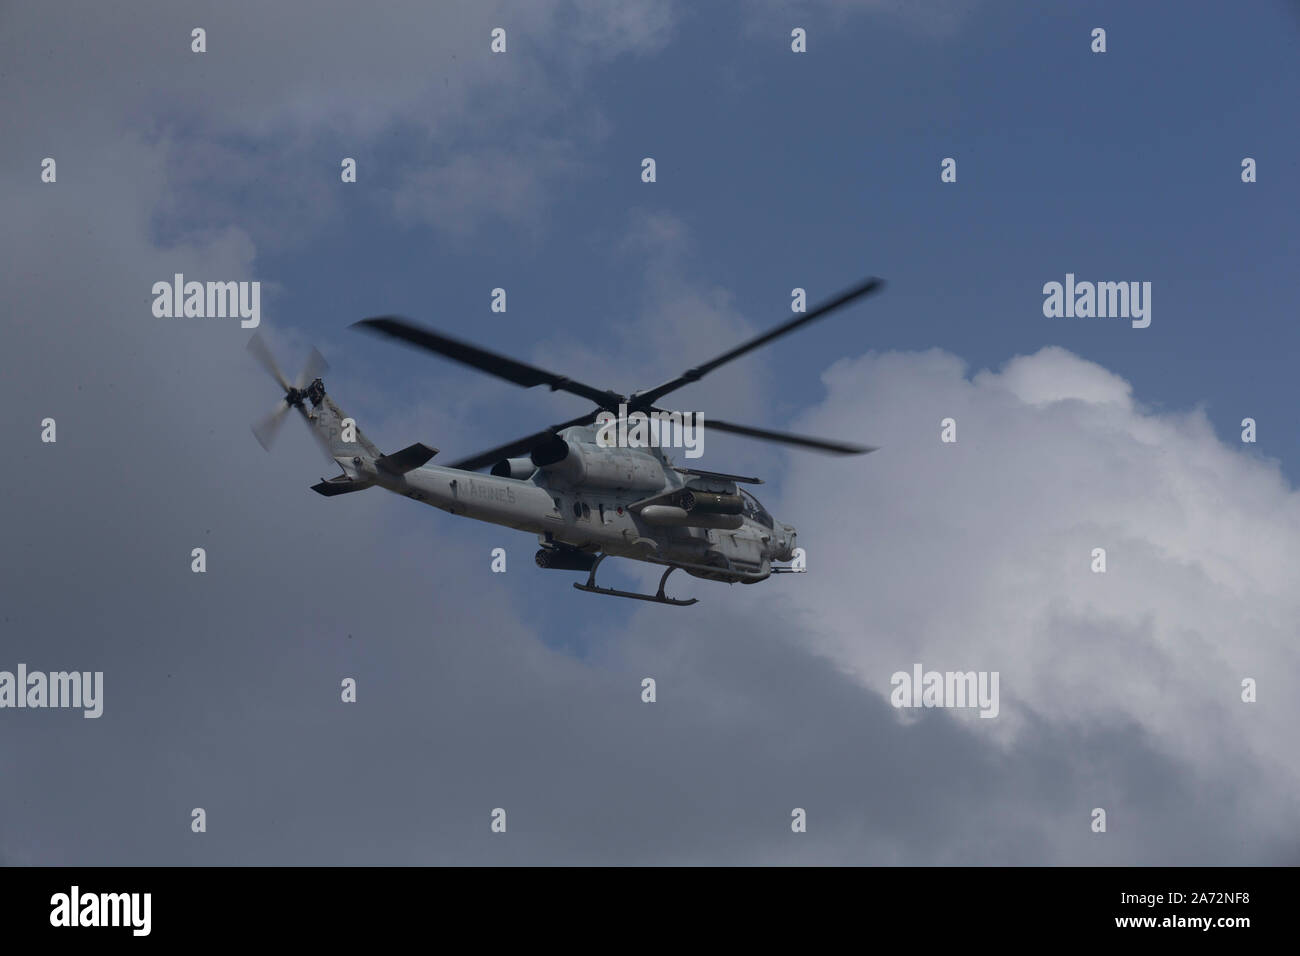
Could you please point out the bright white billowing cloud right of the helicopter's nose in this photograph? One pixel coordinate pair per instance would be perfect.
(977, 556)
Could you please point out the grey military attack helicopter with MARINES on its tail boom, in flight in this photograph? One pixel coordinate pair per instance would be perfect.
(586, 498)
